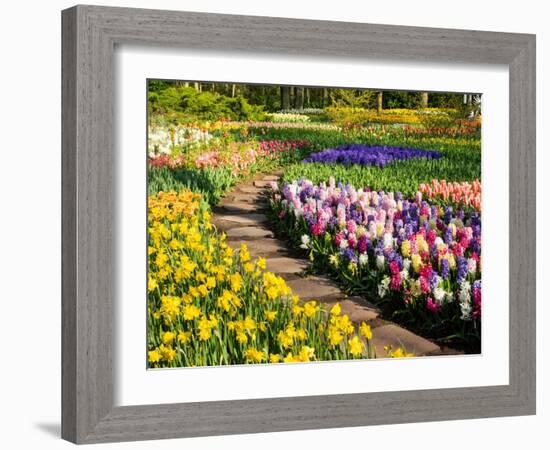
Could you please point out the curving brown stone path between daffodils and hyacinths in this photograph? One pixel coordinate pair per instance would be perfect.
(241, 215)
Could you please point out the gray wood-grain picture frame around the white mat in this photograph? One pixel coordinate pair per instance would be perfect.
(90, 34)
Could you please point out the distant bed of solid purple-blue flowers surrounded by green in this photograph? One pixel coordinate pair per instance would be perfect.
(366, 155)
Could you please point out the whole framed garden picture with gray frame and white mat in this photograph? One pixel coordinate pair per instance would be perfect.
(266, 230)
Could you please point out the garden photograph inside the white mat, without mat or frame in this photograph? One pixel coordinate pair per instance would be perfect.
(294, 224)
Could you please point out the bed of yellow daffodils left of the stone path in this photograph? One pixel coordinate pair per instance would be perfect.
(211, 305)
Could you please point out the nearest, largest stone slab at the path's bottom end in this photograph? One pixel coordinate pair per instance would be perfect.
(396, 336)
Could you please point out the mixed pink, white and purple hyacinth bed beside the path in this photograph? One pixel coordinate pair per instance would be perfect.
(421, 262)
